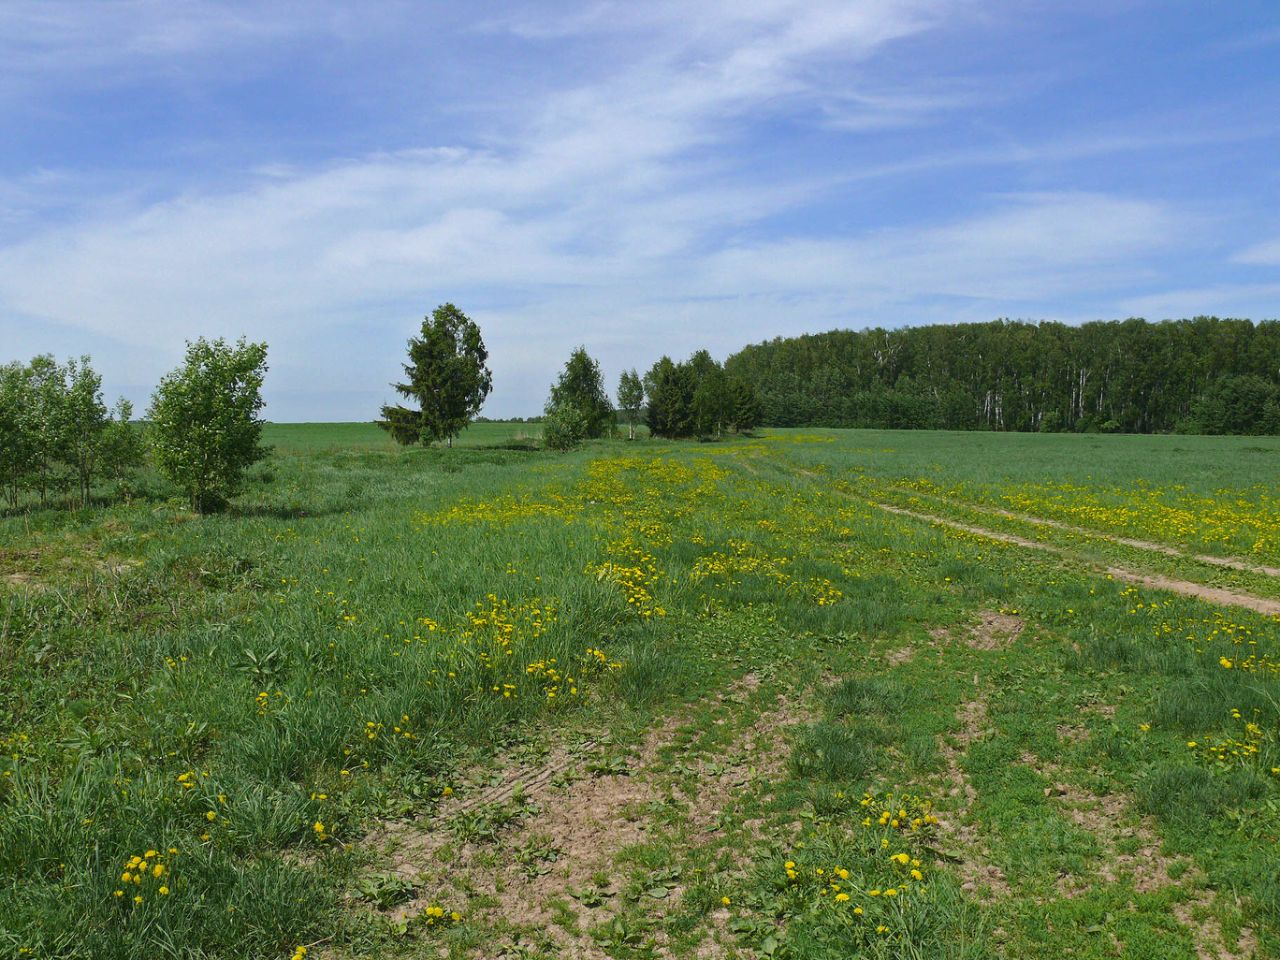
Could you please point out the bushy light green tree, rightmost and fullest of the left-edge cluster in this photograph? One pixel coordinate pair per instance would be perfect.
(205, 429)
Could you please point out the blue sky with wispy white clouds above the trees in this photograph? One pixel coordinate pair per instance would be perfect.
(638, 177)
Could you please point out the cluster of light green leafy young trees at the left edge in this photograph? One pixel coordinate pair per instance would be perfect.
(202, 431)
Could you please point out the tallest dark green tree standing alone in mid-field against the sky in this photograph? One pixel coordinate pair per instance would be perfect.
(446, 377)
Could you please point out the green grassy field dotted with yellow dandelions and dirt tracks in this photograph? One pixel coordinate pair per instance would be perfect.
(650, 701)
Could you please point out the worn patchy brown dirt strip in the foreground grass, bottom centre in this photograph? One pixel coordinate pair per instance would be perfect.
(537, 858)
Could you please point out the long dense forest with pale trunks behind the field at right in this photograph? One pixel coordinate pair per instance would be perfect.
(1201, 376)
